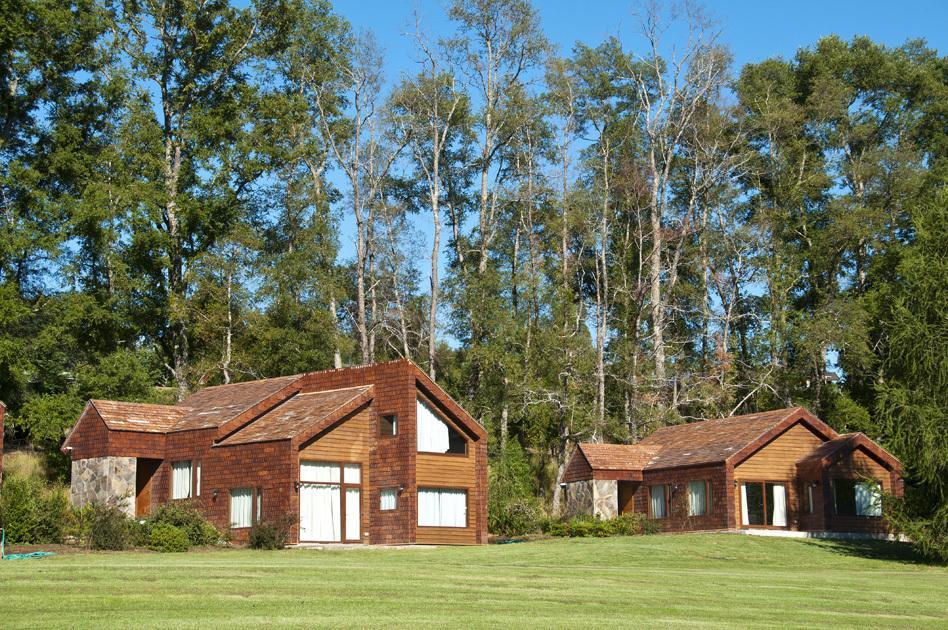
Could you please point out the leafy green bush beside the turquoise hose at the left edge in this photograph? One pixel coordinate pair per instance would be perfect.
(32, 511)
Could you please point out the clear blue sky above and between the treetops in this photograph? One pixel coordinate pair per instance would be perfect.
(754, 30)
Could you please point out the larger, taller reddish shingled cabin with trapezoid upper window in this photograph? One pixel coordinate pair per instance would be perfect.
(376, 454)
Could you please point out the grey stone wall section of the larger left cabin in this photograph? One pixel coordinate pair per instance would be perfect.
(103, 480)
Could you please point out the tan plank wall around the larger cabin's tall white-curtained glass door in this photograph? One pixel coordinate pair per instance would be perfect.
(348, 442)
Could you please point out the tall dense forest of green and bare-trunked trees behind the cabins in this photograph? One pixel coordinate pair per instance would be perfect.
(579, 245)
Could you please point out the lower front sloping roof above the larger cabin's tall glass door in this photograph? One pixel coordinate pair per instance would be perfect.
(303, 413)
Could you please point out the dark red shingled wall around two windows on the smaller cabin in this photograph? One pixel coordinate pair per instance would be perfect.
(718, 517)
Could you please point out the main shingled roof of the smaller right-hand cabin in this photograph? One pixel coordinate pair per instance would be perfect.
(725, 439)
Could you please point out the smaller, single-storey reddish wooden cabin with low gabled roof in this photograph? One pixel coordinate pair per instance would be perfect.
(781, 470)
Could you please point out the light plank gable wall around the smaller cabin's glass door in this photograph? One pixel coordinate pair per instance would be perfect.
(777, 462)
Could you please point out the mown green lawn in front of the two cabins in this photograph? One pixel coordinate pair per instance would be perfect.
(710, 580)
